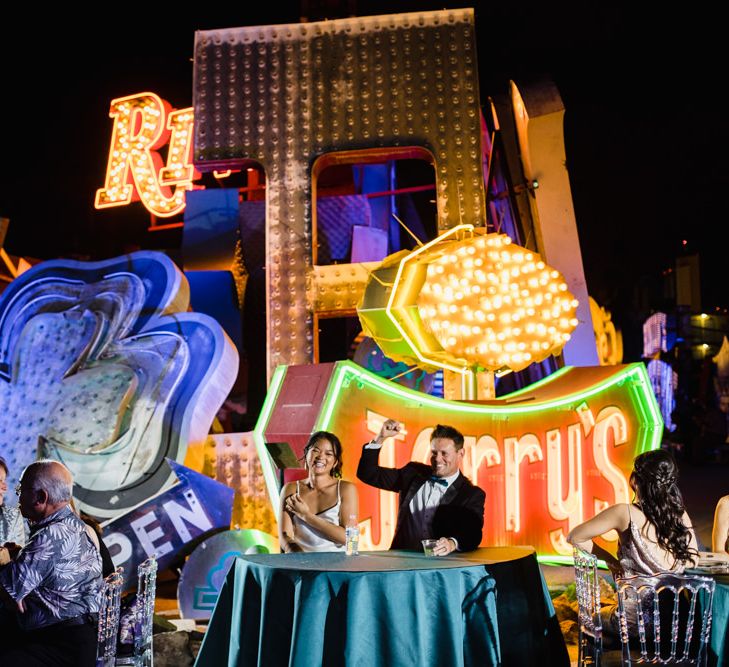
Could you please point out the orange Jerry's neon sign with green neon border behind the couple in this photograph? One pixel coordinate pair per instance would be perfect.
(548, 456)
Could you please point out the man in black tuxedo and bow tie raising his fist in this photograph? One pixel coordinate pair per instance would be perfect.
(436, 501)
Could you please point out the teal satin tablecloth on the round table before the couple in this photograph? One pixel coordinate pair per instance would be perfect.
(487, 607)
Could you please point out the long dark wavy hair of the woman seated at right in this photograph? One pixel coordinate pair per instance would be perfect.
(654, 479)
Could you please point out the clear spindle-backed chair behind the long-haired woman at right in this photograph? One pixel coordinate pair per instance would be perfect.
(665, 619)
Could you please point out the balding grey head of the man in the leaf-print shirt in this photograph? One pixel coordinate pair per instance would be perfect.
(45, 487)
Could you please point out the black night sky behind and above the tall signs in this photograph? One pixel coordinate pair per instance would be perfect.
(645, 129)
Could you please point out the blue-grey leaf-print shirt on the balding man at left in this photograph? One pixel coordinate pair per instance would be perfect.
(57, 574)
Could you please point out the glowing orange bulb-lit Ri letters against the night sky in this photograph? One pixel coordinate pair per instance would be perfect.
(143, 124)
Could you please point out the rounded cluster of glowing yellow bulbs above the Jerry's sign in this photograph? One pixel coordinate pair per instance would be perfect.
(494, 304)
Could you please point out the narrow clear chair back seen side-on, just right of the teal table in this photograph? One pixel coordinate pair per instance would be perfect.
(587, 589)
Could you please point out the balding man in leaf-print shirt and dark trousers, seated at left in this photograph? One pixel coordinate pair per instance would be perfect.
(52, 585)
